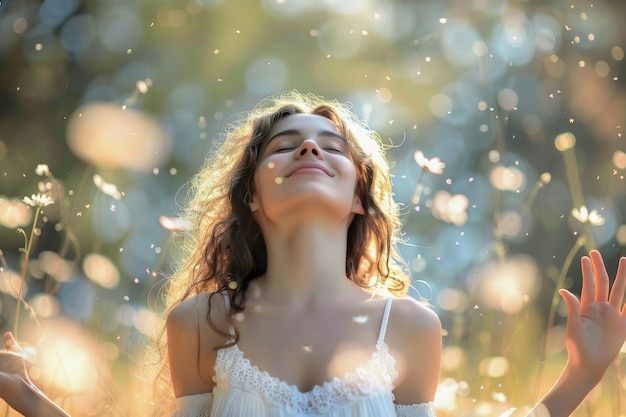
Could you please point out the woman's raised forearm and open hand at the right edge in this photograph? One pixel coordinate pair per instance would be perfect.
(595, 333)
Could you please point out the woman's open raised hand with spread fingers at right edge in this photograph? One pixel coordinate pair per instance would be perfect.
(596, 325)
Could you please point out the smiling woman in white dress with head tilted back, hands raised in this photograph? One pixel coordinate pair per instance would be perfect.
(291, 300)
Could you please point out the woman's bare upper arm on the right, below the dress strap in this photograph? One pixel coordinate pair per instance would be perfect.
(417, 342)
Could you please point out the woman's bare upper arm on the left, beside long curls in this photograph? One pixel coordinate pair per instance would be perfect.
(190, 342)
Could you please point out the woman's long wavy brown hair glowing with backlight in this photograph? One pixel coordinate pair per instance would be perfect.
(224, 250)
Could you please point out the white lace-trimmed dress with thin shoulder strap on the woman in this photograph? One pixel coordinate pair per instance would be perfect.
(243, 390)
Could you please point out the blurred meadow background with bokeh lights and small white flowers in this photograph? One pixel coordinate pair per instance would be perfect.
(504, 122)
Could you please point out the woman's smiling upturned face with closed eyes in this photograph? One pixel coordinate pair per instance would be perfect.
(305, 168)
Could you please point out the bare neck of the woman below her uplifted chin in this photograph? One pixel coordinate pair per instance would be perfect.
(306, 264)
